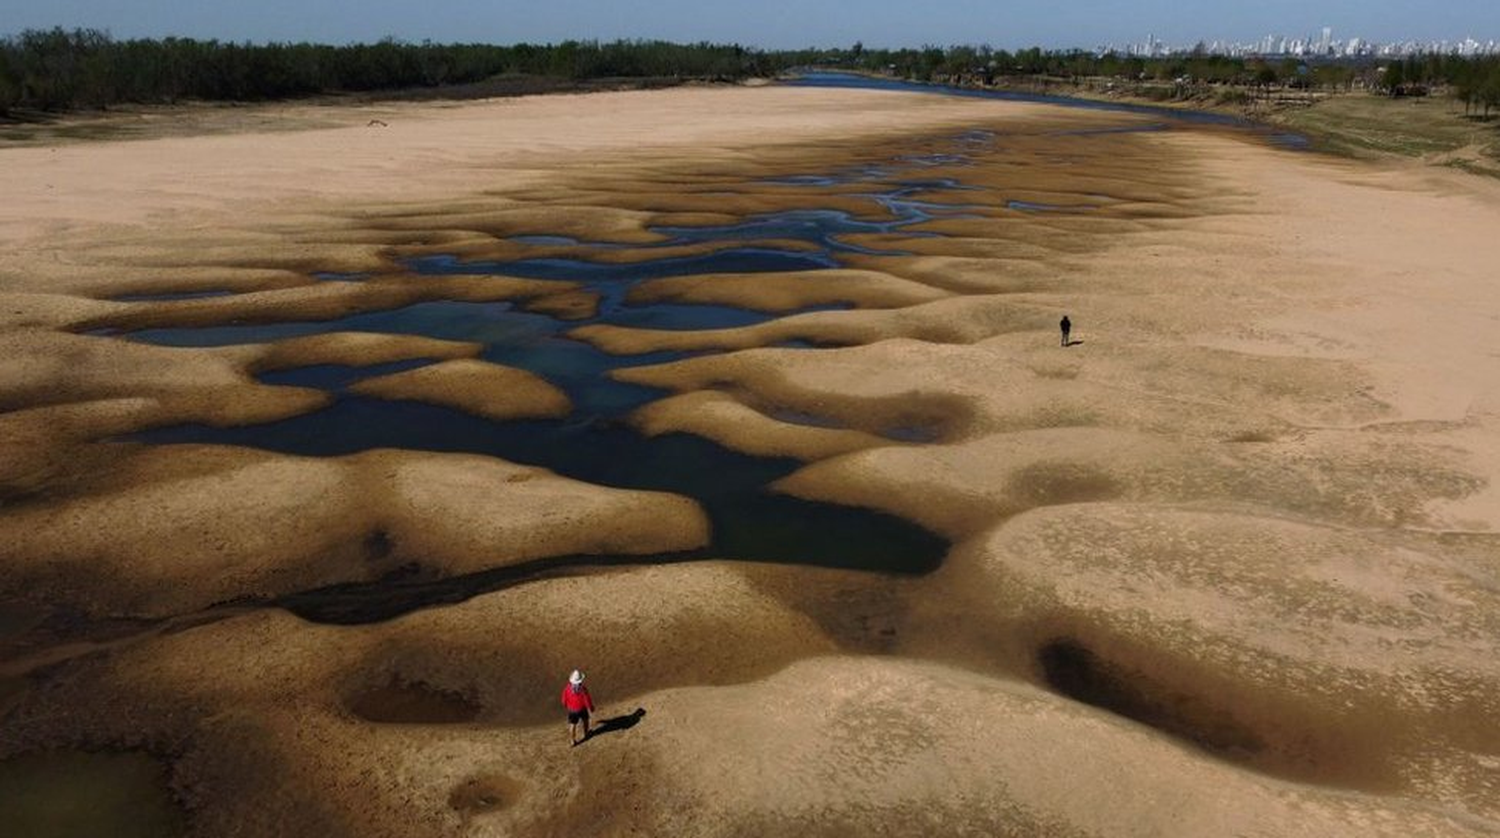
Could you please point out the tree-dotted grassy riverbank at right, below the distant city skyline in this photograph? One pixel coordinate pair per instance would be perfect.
(1388, 107)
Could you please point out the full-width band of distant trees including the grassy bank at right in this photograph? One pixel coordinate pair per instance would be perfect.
(65, 71)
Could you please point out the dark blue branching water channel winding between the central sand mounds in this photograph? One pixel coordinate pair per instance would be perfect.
(595, 443)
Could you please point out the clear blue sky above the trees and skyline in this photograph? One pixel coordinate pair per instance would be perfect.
(766, 23)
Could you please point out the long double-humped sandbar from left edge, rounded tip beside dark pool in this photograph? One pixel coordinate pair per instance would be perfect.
(179, 528)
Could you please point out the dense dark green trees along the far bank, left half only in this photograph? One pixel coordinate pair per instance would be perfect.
(71, 70)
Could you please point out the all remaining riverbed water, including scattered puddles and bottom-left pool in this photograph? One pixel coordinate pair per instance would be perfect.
(77, 792)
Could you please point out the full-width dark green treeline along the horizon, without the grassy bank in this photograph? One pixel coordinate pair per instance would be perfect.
(73, 70)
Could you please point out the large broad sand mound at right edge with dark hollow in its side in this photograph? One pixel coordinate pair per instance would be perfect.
(1310, 653)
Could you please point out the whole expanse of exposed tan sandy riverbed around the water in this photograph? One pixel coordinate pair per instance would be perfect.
(1226, 566)
